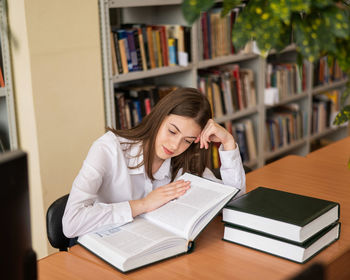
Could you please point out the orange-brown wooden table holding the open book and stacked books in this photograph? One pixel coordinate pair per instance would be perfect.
(216, 259)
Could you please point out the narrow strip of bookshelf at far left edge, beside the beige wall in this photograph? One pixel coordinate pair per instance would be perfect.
(8, 133)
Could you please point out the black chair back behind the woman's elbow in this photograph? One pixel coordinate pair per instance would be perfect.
(54, 224)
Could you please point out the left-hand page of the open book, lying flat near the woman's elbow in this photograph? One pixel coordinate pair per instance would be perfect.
(128, 240)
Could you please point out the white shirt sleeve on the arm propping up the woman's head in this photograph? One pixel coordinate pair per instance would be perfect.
(231, 170)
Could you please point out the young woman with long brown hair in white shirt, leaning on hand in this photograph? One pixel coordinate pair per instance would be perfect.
(130, 172)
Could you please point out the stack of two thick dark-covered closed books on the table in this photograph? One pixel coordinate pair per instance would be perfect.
(291, 226)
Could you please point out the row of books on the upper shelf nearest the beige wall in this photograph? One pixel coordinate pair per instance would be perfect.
(140, 47)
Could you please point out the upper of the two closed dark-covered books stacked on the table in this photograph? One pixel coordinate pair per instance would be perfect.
(281, 214)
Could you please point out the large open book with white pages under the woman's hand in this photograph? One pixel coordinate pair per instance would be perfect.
(165, 232)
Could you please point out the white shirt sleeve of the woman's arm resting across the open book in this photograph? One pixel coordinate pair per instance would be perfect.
(83, 213)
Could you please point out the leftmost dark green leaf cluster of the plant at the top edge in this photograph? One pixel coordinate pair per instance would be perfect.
(191, 9)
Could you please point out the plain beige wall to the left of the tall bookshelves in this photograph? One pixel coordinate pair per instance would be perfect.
(59, 96)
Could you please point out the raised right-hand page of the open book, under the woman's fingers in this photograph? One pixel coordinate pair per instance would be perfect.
(181, 214)
